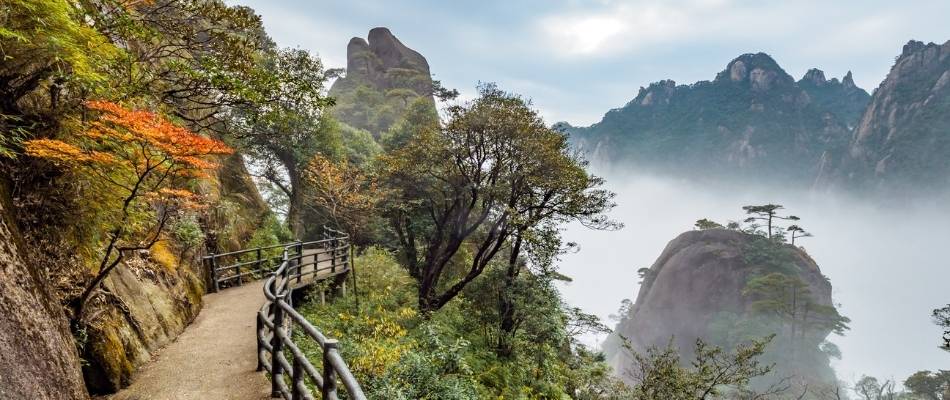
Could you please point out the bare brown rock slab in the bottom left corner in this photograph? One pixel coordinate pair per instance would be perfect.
(37, 354)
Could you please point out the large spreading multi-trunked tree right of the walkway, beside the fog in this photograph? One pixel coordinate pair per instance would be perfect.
(489, 174)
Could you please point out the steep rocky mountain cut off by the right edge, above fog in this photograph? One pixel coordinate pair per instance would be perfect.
(902, 141)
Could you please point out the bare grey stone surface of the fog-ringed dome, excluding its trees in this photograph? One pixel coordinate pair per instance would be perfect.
(699, 277)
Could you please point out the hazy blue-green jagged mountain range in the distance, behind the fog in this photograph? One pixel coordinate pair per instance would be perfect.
(752, 120)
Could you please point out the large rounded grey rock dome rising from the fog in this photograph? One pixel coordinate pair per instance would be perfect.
(697, 288)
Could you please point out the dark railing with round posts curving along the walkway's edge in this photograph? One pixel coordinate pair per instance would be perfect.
(301, 264)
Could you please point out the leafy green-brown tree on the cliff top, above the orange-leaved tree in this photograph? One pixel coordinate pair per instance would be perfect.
(198, 58)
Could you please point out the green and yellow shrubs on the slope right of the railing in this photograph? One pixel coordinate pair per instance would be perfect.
(395, 353)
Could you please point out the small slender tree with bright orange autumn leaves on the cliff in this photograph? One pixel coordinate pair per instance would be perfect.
(142, 159)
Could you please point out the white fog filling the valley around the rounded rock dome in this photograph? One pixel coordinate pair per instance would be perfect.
(887, 264)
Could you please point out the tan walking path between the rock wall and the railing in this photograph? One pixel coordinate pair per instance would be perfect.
(213, 359)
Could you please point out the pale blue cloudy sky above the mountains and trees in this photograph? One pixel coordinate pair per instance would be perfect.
(577, 59)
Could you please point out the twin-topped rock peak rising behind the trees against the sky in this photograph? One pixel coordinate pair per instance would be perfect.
(383, 77)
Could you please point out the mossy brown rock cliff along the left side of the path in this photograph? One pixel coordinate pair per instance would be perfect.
(145, 303)
